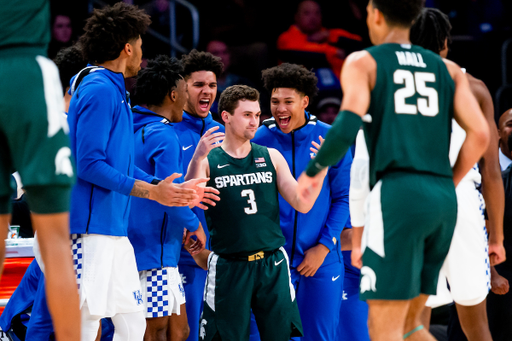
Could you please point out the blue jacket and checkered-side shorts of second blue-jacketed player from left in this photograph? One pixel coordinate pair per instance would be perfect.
(155, 230)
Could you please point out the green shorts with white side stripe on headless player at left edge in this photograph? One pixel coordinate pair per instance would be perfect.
(33, 132)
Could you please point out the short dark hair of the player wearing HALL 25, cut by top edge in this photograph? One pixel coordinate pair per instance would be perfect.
(399, 13)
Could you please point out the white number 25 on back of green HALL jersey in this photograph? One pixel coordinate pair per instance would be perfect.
(416, 83)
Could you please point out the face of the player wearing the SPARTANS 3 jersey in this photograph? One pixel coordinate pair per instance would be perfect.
(245, 120)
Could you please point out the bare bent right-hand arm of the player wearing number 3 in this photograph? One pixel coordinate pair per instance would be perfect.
(287, 185)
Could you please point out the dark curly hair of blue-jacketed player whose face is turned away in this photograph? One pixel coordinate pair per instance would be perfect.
(157, 79)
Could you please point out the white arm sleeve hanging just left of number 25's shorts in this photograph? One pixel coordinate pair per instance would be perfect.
(359, 181)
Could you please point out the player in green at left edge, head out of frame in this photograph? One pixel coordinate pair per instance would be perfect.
(34, 141)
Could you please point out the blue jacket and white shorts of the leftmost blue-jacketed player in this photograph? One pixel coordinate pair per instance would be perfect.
(101, 135)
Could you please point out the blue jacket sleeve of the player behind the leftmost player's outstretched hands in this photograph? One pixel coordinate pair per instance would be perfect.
(162, 150)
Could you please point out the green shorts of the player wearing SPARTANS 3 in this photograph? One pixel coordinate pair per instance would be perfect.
(234, 287)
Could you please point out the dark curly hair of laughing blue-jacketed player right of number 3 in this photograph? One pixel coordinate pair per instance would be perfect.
(290, 76)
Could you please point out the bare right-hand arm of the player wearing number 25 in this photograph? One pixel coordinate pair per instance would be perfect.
(469, 116)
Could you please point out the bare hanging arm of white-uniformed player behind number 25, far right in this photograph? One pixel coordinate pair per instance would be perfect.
(492, 183)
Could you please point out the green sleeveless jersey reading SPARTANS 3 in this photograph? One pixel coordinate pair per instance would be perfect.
(246, 219)
